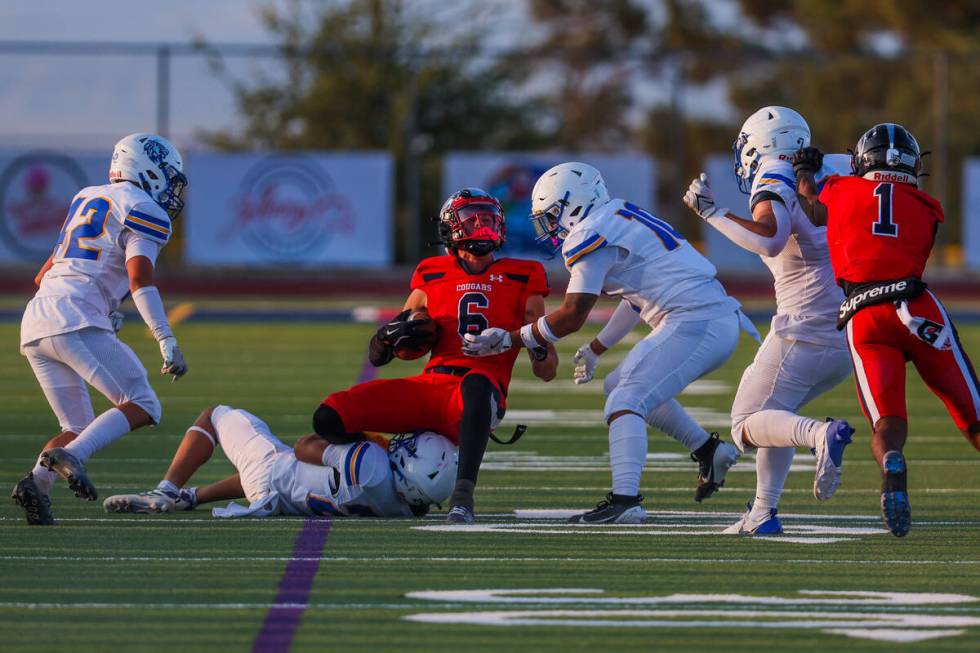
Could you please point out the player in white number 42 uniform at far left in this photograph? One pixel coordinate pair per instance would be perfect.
(107, 249)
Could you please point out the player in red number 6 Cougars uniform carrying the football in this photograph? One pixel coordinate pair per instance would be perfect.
(466, 290)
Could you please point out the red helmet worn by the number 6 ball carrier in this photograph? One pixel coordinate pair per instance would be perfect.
(473, 220)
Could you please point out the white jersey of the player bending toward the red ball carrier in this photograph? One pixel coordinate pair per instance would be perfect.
(657, 271)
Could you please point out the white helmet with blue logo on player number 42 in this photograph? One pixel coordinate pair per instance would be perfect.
(154, 164)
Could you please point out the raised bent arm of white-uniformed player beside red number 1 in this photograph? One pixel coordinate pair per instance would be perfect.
(765, 234)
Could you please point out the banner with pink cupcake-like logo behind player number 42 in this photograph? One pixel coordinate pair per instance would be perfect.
(36, 188)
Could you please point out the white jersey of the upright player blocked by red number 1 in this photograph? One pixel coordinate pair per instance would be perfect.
(807, 295)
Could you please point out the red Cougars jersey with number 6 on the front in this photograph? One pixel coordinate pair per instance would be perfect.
(462, 303)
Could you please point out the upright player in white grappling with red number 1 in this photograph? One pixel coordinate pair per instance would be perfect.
(804, 355)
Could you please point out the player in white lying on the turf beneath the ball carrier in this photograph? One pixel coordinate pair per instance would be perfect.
(317, 478)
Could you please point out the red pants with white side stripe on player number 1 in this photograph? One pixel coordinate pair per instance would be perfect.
(881, 345)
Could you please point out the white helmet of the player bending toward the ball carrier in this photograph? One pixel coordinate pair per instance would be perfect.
(563, 197)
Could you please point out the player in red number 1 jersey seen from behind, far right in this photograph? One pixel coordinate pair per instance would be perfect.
(880, 230)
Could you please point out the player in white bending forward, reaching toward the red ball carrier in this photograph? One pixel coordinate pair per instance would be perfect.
(614, 247)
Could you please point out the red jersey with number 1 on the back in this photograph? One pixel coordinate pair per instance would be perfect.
(878, 230)
